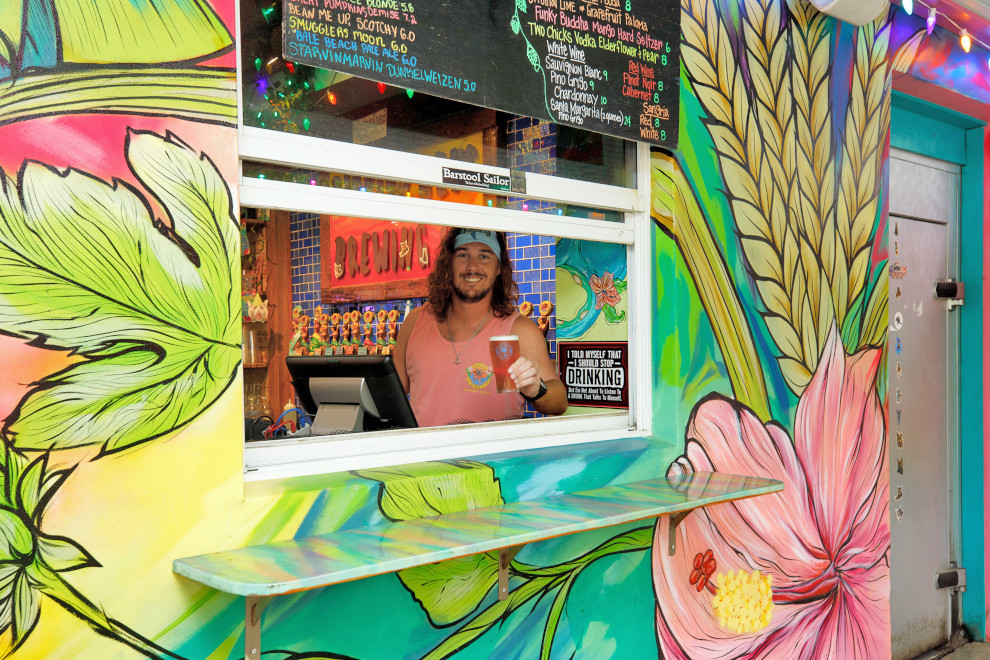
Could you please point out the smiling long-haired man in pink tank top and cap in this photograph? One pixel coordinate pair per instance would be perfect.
(442, 350)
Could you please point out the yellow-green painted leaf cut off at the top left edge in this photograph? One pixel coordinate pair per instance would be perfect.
(139, 31)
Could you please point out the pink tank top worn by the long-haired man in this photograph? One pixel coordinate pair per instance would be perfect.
(442, 392)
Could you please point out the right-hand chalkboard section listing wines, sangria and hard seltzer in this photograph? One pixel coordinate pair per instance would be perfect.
(605, 63)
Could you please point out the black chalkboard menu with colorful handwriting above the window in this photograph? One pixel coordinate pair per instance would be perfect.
(607, 66)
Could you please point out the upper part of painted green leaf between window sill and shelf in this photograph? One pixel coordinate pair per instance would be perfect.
(423, 490)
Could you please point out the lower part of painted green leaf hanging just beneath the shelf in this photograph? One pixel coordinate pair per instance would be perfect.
(450, 590)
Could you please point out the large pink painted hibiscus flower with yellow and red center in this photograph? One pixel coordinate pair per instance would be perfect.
(822, 541)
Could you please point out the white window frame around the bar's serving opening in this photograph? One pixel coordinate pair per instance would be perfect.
(285, 458)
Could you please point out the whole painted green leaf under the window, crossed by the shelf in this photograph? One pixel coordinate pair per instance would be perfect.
(450, 590)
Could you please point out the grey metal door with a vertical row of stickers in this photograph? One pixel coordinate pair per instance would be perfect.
(923, 400)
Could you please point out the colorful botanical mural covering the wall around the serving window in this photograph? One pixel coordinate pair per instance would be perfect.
(120, 309)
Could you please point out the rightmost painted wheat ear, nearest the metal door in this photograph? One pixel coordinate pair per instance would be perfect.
(867, 125)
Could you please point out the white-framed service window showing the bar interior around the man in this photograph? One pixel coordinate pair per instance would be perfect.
(347, 188)
